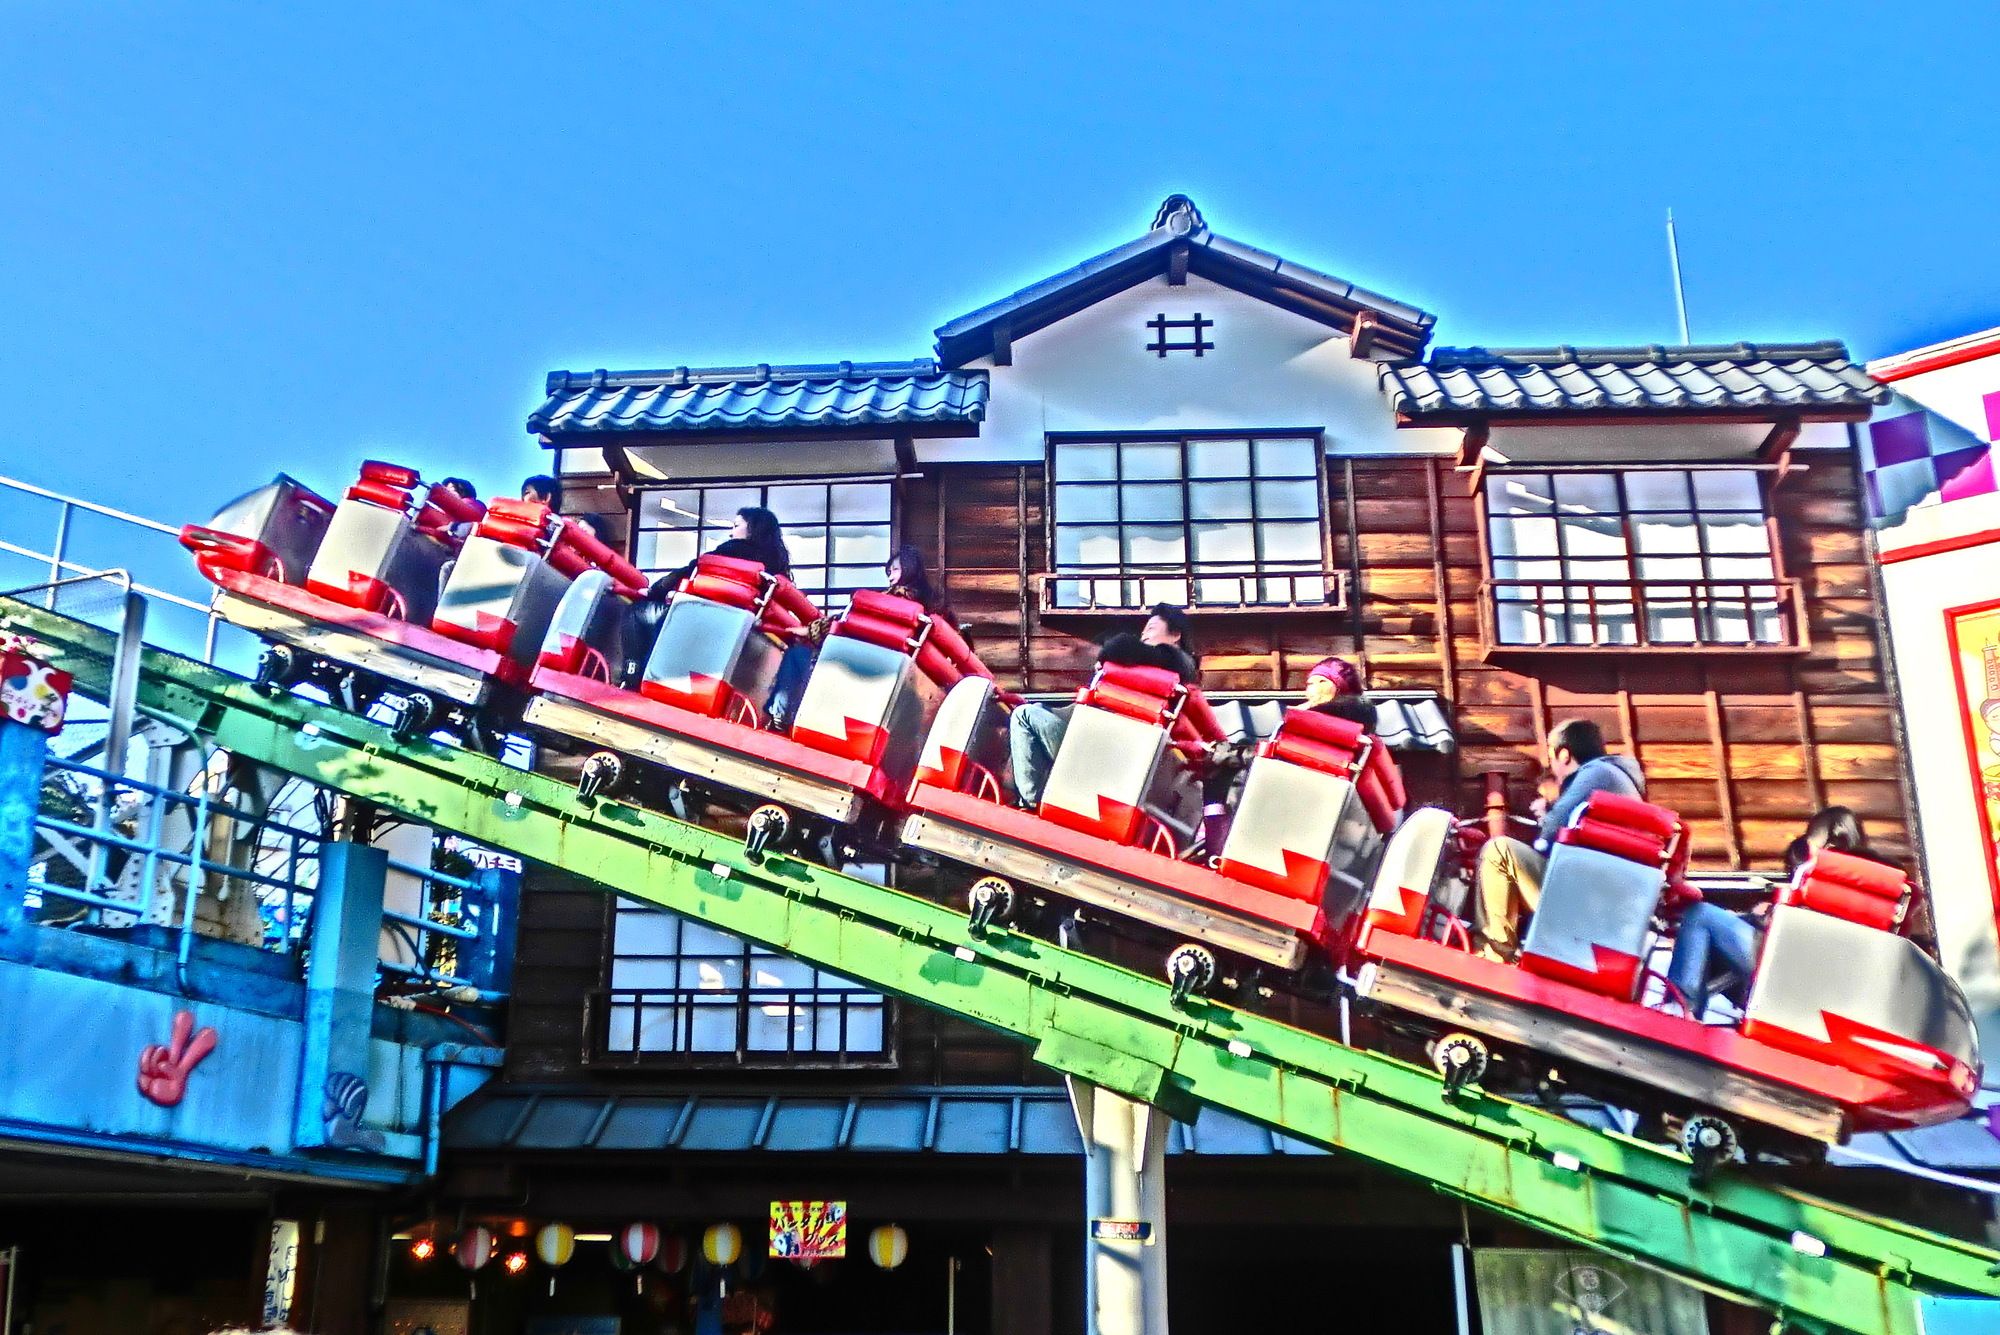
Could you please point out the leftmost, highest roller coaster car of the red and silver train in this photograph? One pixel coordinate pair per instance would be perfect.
(383, 595)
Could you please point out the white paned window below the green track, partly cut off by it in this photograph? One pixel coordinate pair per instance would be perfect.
(685, 992)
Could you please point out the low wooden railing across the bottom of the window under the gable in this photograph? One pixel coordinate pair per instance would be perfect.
(1199, 587)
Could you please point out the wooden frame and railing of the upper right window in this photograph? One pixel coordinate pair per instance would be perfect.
(1785, 595)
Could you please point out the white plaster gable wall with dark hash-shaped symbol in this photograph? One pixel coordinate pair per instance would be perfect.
(1269, 371)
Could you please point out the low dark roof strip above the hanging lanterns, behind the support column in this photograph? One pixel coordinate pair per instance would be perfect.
(949, 1120)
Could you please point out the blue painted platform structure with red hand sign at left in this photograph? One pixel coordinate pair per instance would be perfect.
(309, 1074)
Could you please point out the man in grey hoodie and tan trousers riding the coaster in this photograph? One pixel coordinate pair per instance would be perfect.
(1511, 872)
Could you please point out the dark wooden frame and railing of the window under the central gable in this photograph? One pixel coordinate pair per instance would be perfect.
(1255, 573)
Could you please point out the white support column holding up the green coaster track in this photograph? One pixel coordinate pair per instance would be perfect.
(1125, 1212)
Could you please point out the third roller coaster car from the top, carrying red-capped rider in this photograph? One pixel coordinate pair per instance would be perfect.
(1123, 808)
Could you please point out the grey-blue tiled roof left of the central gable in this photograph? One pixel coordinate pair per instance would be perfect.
(759, 399)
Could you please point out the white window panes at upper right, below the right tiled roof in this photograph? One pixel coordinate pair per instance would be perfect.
(1633, 559)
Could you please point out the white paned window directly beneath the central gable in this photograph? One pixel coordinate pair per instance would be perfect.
(1193, 521)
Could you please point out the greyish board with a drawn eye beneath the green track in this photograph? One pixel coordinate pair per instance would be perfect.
(1581, 1294)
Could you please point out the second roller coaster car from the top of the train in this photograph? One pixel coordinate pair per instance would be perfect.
(699, 702)
